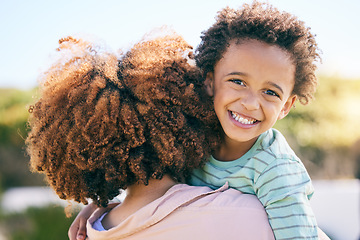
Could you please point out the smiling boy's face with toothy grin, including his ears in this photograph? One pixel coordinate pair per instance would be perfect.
(252, 88)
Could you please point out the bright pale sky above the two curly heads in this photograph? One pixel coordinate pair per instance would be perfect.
(30, 30)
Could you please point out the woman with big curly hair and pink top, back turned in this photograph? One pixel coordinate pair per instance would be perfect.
(136, 123)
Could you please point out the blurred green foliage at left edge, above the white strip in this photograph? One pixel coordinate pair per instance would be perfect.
(14, 170)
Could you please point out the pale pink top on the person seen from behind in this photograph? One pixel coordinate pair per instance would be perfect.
(187, 212)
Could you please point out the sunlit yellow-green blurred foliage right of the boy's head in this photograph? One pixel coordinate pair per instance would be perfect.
(331, 120)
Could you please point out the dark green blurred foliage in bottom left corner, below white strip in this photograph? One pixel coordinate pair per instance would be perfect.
(37, 224)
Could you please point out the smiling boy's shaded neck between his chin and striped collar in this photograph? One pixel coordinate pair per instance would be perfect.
(231, 150)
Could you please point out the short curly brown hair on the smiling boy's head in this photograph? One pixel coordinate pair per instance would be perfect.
(262, 22)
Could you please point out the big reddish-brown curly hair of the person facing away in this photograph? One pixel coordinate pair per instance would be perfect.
(104, 123)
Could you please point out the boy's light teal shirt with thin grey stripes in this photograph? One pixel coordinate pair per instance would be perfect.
(271, 171)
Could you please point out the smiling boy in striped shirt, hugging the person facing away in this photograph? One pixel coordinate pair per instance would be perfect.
(257, 61)
